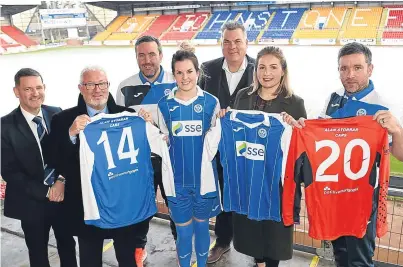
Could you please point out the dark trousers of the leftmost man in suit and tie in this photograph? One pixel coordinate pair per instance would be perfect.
(37, 238)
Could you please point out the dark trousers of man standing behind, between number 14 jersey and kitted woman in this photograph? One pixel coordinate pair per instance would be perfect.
(156, 161)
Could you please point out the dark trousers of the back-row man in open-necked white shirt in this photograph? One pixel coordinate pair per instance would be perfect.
(223, 226)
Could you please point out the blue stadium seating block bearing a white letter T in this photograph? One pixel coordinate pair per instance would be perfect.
(284, 23)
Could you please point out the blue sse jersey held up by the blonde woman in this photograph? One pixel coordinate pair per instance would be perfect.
(253, 151)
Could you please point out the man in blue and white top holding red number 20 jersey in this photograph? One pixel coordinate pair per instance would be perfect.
(359, 97)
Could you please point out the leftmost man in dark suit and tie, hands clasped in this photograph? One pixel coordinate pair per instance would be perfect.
(34, 193)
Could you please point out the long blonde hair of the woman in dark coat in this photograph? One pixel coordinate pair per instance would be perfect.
(284, 86)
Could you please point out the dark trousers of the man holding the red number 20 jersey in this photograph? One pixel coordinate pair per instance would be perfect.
(350, 251)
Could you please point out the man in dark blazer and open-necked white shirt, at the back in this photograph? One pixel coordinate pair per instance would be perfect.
(224, 77)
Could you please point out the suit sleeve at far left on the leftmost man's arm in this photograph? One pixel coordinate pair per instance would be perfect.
(11, 171)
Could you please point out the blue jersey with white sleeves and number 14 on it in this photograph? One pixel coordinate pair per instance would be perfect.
(117, 176)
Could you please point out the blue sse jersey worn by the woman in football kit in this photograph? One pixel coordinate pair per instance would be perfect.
(186, 123)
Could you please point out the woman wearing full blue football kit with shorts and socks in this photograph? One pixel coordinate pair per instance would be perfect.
(186, 115)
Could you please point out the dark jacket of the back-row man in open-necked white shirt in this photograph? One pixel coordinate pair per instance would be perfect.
(215, 80)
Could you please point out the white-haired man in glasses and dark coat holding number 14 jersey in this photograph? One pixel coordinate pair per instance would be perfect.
(94, 98)
